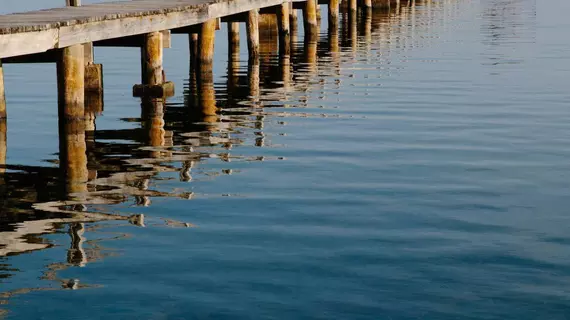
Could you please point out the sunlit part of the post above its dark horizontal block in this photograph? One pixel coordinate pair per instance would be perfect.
(152, 72)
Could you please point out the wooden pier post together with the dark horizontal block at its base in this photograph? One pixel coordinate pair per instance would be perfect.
(152, 74)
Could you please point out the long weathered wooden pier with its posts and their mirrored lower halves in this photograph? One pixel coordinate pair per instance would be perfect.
(66, 36)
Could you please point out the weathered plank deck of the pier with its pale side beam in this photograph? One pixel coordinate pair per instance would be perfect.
(39, 31)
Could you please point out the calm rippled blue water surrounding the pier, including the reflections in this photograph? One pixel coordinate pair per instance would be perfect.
(419, 172)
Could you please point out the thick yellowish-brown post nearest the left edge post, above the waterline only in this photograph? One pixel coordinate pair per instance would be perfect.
(71, 82)
